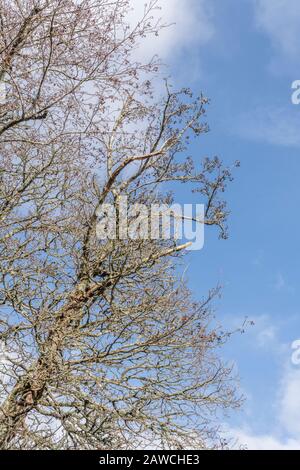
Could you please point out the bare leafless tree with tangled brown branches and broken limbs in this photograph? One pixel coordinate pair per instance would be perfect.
(105, 347)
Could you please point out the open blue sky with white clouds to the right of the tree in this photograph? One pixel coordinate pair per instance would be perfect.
(244, 55)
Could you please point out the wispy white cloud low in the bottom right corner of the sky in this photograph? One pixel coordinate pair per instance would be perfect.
(284, 401)
